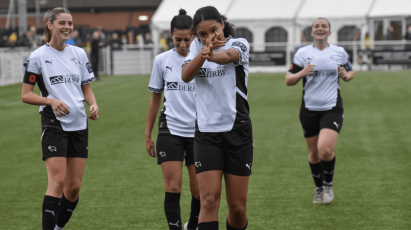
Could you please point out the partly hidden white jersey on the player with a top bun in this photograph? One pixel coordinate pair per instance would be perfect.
(179, 110)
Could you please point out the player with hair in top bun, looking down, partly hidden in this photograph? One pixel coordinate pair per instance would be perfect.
(176, 123)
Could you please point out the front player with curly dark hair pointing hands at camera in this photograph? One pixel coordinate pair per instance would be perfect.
(223, 140)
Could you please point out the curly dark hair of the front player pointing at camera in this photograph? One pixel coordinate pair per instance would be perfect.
(211, 13)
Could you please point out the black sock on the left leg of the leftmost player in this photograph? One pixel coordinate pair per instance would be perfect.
(50, 208)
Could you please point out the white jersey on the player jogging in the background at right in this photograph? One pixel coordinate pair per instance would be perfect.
(322, 88)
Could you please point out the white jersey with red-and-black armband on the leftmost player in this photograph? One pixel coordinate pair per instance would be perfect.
(60, 75)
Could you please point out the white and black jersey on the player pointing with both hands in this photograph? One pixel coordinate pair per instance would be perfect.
(221, 90)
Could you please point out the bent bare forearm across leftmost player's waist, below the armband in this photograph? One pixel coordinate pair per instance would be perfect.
(29, 97)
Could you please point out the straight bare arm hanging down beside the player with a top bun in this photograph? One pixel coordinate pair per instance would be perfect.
(153, 108)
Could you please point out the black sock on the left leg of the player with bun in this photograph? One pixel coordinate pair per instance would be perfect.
(172, 210)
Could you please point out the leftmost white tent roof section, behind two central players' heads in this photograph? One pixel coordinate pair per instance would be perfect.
(169, 8)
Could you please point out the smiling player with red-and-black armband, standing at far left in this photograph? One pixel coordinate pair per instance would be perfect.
(63, 74)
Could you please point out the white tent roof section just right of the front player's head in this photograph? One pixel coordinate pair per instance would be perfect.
(263, 9)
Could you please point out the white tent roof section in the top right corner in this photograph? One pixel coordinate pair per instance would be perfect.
(391, 8)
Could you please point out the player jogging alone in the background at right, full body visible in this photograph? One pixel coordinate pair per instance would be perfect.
(320, 65)
